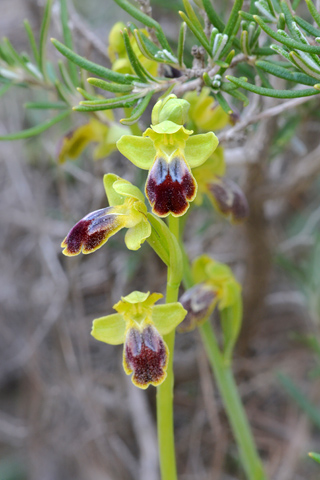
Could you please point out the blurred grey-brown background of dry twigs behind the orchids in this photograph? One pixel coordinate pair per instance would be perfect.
(67, 410)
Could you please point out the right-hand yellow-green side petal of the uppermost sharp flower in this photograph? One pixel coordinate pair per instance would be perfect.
(199, 148)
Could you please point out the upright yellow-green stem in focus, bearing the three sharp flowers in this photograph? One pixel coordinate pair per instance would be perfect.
(165, 390)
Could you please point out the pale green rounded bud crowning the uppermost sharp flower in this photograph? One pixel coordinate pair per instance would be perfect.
(171, 108)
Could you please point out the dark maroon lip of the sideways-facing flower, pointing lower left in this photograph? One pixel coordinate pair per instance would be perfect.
(92, 231)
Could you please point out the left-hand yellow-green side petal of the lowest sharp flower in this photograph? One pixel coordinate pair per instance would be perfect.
(109, 329)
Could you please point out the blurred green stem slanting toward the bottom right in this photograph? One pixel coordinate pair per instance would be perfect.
(233, 405)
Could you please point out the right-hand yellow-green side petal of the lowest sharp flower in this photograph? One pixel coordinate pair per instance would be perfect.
(167, 317)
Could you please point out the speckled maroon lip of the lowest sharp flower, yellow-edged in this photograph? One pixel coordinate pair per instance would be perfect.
(145, 355)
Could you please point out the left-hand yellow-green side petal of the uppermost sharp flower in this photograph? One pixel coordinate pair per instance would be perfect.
(139, 150)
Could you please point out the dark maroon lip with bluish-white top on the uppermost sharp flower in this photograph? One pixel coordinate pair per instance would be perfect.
(170, 187)
